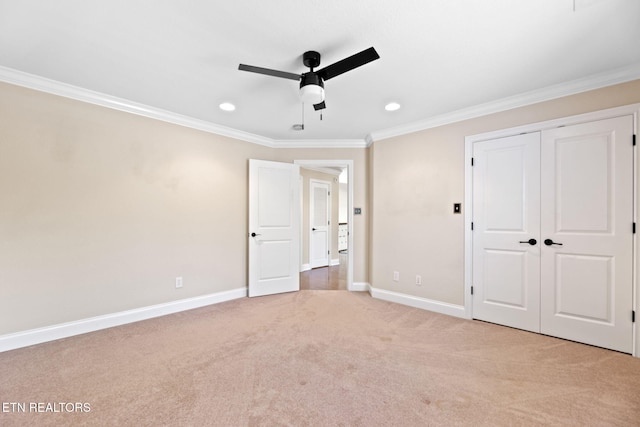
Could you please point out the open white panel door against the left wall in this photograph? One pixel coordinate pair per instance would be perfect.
(274, 218)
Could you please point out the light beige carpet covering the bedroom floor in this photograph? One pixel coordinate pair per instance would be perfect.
(319, 358)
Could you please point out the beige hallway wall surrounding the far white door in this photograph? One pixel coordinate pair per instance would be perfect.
(308, 175)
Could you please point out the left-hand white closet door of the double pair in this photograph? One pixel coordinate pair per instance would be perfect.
(506, 216)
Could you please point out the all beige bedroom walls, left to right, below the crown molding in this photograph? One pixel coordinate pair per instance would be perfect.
(101, 209)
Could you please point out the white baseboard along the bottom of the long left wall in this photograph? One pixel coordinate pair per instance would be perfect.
(64, 330)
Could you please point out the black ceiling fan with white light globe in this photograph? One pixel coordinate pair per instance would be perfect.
(312, 82)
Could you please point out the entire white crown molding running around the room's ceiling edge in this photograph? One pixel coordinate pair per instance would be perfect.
(597, 81)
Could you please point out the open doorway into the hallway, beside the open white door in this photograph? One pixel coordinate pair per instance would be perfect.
(338, 274)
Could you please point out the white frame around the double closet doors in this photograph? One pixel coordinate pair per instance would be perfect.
(633, 109)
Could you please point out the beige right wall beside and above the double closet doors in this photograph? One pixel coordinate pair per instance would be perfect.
(416, 178)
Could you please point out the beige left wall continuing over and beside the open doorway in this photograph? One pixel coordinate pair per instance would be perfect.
(101, 210)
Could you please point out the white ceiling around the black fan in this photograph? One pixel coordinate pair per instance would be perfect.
(437, 57)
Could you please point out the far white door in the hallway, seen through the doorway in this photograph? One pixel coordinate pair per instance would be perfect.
(319, 223)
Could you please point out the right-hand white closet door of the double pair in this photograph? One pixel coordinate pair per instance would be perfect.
(586, 232)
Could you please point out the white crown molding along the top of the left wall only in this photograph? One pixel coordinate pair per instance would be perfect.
(54, 87)
